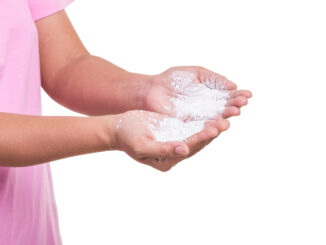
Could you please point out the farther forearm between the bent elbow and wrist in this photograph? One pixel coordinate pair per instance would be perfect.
(94, 86)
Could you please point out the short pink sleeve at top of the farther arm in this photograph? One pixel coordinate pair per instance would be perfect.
(43, 8)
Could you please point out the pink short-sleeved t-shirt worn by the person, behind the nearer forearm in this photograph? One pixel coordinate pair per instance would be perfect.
(28, 214)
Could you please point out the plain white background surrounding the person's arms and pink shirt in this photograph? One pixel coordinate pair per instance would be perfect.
(261, 182)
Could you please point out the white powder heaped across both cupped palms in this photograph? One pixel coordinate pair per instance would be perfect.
(194, 103)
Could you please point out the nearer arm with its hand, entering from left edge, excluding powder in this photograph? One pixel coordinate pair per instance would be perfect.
(31, 140)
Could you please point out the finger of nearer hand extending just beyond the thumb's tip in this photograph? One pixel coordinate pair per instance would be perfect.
(206, 134)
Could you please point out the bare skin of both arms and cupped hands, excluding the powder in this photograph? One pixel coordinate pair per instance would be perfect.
(116, 101)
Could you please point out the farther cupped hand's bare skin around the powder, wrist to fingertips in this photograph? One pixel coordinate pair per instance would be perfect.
(160, 92)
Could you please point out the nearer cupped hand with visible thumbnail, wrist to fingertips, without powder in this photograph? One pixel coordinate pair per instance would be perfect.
(132, 136)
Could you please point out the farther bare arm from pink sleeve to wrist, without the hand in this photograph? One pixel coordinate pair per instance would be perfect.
(80, 81)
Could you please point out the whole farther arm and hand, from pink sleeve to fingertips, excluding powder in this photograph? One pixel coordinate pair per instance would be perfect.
(94, 86)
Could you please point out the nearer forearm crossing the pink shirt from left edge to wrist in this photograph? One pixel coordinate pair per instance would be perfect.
(31, 140)
